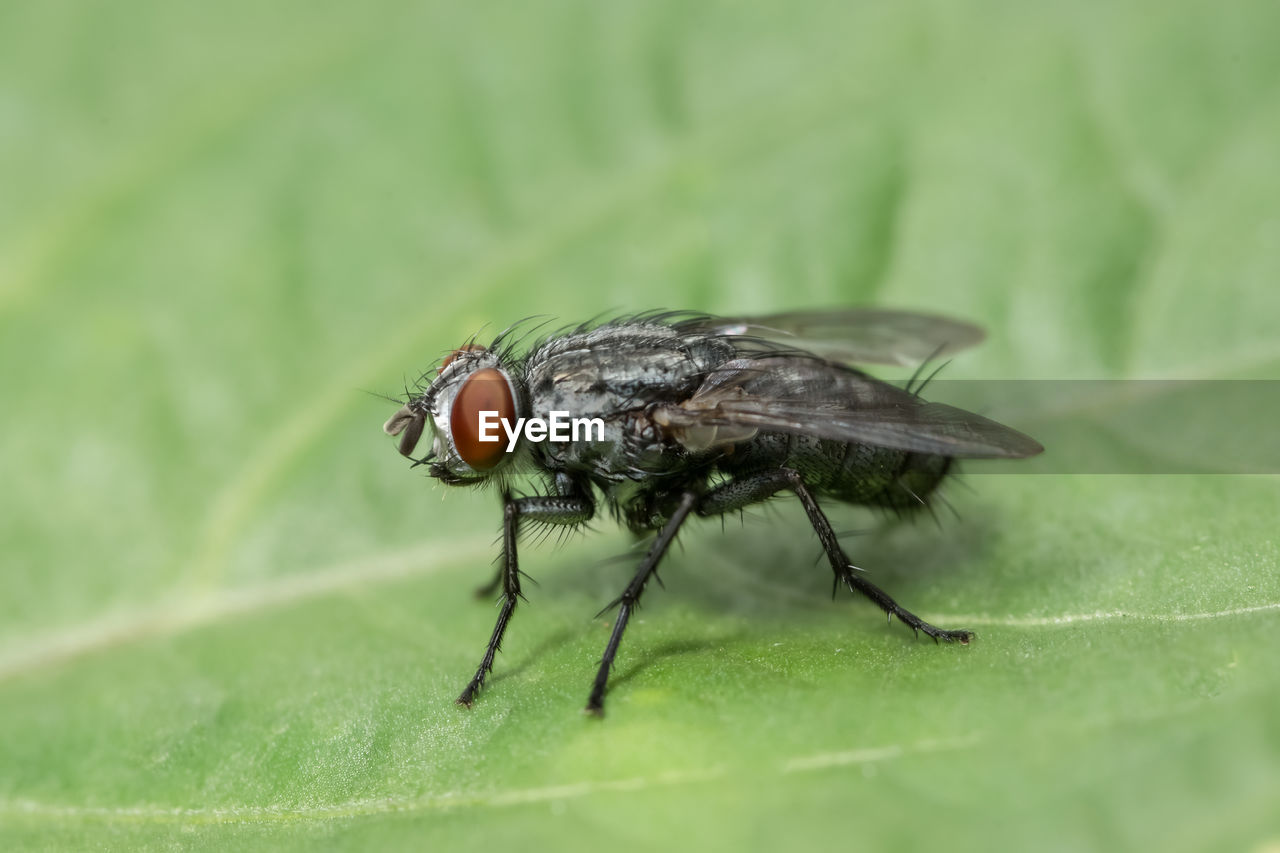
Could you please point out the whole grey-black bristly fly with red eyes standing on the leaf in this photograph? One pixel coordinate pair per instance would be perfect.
(696, 416)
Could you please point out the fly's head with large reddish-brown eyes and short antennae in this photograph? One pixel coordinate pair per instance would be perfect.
(473, 381)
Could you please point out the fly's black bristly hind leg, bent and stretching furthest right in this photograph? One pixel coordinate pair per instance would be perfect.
(746, 491)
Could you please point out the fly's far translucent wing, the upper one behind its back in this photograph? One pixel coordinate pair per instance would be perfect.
(852, 336)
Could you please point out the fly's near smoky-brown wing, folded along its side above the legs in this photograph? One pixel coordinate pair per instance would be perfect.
(819, 399)
